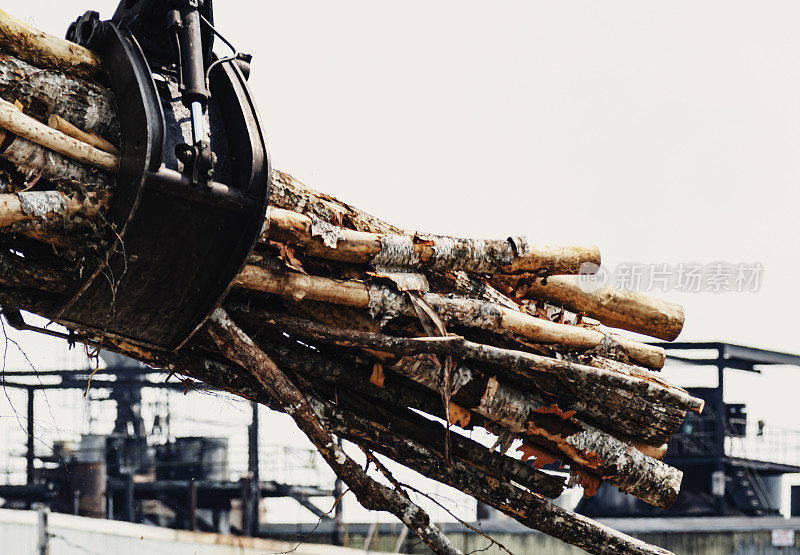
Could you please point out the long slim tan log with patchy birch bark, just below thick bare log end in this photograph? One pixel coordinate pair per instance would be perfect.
(468, 312)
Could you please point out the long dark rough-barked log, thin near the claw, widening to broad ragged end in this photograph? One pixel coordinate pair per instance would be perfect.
(644, 411)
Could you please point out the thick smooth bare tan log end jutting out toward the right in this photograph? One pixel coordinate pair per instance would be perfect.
(627, 310)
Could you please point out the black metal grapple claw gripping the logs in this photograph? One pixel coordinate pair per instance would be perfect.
(188, 205)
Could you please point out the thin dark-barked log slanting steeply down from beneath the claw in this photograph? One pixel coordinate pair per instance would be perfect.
(239, 347)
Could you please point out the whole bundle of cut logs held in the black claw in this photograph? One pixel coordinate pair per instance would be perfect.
(396, 341)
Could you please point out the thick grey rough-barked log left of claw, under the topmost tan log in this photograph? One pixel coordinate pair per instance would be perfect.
(43, 92)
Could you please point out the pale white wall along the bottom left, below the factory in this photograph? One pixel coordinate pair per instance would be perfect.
(20, 533)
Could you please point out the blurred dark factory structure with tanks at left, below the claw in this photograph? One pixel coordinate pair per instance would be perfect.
(138, 472)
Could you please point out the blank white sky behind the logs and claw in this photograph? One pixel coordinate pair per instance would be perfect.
(664, 132)
